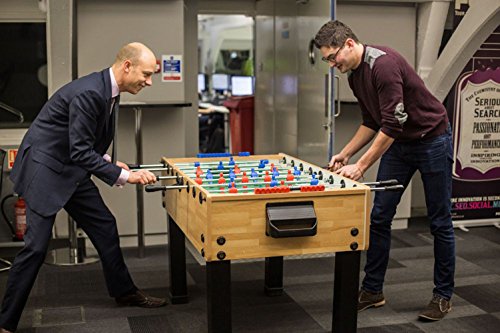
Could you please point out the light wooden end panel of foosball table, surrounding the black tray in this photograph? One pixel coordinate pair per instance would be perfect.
(243, 225)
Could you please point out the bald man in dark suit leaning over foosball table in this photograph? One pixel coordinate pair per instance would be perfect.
(64, 146)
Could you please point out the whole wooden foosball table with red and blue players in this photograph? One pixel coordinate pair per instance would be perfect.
(263, 206)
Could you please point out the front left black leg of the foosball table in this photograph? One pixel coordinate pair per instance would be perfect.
(219, 296)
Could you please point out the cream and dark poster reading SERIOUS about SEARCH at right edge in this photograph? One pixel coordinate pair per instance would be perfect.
(476, 171)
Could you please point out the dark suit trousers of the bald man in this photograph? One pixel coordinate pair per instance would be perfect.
(91, 214)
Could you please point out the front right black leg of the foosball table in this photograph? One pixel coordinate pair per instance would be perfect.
(345, 292)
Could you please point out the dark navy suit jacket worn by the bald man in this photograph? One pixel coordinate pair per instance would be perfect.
(65, 144)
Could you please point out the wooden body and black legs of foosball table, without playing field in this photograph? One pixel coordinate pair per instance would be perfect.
(238, 221)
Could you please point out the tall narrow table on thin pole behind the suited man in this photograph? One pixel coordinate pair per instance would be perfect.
(137, 106)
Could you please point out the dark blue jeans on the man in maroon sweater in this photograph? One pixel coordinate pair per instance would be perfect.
(433, 158)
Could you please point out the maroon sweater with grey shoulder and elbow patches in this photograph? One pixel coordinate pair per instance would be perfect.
(393, 98)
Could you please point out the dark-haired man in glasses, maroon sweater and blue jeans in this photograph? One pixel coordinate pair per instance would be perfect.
(412, 132)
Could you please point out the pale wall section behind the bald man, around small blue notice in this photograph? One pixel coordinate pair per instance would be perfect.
(166, 27)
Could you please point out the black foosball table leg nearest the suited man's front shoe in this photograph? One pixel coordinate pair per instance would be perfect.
(177, 262)
